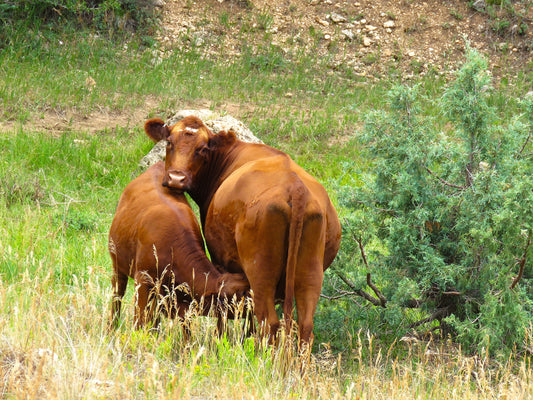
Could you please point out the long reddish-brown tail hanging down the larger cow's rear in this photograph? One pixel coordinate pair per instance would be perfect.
(298, 201)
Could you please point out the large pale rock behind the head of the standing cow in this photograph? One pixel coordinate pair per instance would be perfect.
(214, 121)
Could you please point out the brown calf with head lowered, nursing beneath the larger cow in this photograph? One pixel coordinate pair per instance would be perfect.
(156, 240)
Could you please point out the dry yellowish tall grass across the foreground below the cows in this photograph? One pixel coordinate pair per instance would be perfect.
(54, 344)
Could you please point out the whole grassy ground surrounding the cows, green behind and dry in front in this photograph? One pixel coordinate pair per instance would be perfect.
(59, 189)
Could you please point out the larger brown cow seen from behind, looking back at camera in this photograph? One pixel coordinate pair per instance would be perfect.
(261, 214)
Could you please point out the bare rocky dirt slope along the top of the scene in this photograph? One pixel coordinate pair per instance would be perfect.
(370, 36)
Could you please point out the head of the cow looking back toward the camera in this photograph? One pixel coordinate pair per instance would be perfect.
(187, 149)
